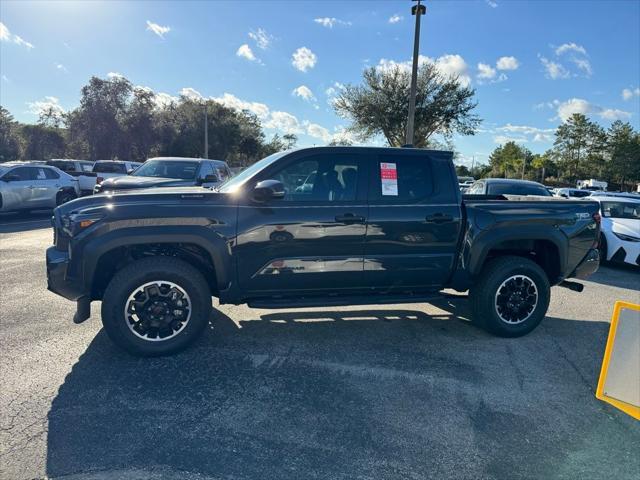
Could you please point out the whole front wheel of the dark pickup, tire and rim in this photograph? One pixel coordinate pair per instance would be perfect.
(166, 280)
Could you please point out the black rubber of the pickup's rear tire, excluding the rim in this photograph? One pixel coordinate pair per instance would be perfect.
(493, 322)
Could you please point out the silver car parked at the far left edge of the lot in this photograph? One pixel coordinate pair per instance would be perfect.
(30, 186)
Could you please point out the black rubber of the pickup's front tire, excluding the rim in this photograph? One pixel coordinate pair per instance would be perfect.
(115, 299)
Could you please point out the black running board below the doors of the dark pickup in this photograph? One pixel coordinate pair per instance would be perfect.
(340, 301)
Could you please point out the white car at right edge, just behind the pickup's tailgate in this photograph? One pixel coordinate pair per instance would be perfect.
(620, 228)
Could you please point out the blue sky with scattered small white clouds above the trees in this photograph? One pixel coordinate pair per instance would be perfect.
(532, 63)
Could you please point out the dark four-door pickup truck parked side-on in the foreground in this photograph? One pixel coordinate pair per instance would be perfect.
(315, 227)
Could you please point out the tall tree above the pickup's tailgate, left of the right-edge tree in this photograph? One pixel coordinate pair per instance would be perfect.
(579, 140)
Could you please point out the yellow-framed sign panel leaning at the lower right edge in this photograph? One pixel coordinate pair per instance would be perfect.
(619, 382)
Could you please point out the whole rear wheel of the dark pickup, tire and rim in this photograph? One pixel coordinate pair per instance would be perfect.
(493, 308)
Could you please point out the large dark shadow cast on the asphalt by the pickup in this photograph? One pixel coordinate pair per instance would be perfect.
(380, 393)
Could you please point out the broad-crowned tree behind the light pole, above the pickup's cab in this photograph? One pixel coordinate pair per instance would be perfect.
(381, 104)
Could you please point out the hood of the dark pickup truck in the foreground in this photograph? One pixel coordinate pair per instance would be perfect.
(151, 197)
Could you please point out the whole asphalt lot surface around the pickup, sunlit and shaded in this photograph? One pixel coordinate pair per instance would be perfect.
(373, 392)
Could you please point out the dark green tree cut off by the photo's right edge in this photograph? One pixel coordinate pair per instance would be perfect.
(623, 145)
